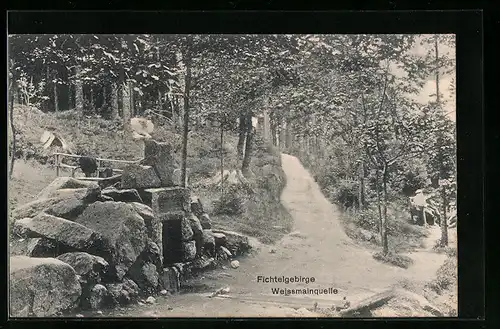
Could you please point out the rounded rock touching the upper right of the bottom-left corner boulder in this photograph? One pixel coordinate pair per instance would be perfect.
(91, 268)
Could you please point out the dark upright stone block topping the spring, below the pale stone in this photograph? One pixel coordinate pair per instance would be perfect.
(159, 156)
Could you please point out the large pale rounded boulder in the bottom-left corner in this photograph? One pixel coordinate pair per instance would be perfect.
(45, 285)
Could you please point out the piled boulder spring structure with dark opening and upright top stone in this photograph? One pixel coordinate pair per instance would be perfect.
(130, 236)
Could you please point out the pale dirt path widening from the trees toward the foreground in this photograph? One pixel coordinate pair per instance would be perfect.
(317, 248)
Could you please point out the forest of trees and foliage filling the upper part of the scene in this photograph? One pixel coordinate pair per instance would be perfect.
(345, 105)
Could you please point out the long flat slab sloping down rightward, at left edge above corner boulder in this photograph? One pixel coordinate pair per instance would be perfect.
(61, 230)
